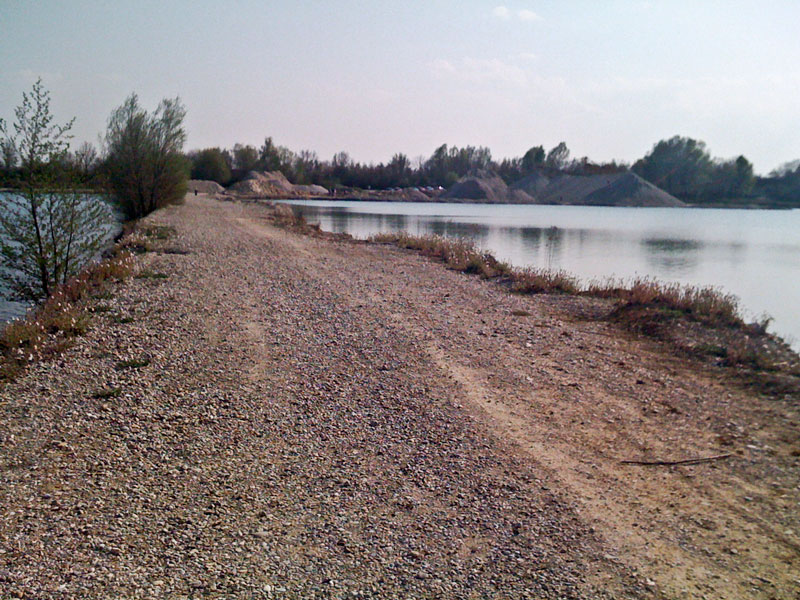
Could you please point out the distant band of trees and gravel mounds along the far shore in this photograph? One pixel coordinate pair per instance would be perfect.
(677, 171)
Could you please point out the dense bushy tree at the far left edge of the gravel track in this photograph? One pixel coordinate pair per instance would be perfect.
(145, 164)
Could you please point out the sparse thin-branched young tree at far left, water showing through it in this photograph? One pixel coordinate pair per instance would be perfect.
(48, 231)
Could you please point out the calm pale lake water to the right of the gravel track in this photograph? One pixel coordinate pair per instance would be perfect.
(754, 254)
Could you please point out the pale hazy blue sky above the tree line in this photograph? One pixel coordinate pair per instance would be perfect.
(375, 77)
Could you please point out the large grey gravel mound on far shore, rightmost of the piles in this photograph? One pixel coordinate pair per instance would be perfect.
(618, 189)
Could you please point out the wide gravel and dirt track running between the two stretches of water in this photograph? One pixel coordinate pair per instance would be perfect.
(305, 418)
